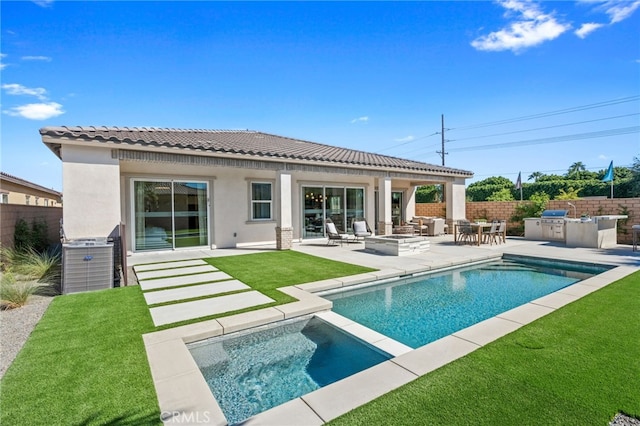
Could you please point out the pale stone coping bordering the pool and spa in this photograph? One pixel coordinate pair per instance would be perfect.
(184, 396)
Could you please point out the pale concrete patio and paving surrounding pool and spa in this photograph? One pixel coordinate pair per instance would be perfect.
(183, 393)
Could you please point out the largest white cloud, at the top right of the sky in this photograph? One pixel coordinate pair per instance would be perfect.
(530, 27)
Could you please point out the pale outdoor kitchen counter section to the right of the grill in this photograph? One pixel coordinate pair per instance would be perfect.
(599, 232)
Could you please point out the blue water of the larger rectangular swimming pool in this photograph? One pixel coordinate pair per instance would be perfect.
(423, 309)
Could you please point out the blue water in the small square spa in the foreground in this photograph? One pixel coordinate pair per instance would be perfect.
(250, 372)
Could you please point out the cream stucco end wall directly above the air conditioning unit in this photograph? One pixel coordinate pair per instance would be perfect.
(90, 180)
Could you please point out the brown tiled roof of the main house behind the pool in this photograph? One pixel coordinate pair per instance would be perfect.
(238, 142)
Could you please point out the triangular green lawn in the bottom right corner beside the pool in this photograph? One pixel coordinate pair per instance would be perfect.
(576, 366)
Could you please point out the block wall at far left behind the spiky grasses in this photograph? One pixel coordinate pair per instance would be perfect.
(10, 213)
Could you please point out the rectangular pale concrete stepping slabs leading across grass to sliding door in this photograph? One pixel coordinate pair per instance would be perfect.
(189, 279)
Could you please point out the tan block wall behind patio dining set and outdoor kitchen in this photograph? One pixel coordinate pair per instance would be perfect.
(505, 209)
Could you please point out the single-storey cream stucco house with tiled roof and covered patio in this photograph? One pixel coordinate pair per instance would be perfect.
(177, 188)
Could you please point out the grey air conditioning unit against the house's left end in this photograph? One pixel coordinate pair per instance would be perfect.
(87, 264)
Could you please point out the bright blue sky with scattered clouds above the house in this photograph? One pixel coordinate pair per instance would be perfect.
(523, 86)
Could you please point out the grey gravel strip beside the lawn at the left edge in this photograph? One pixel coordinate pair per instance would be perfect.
(16, 326)
